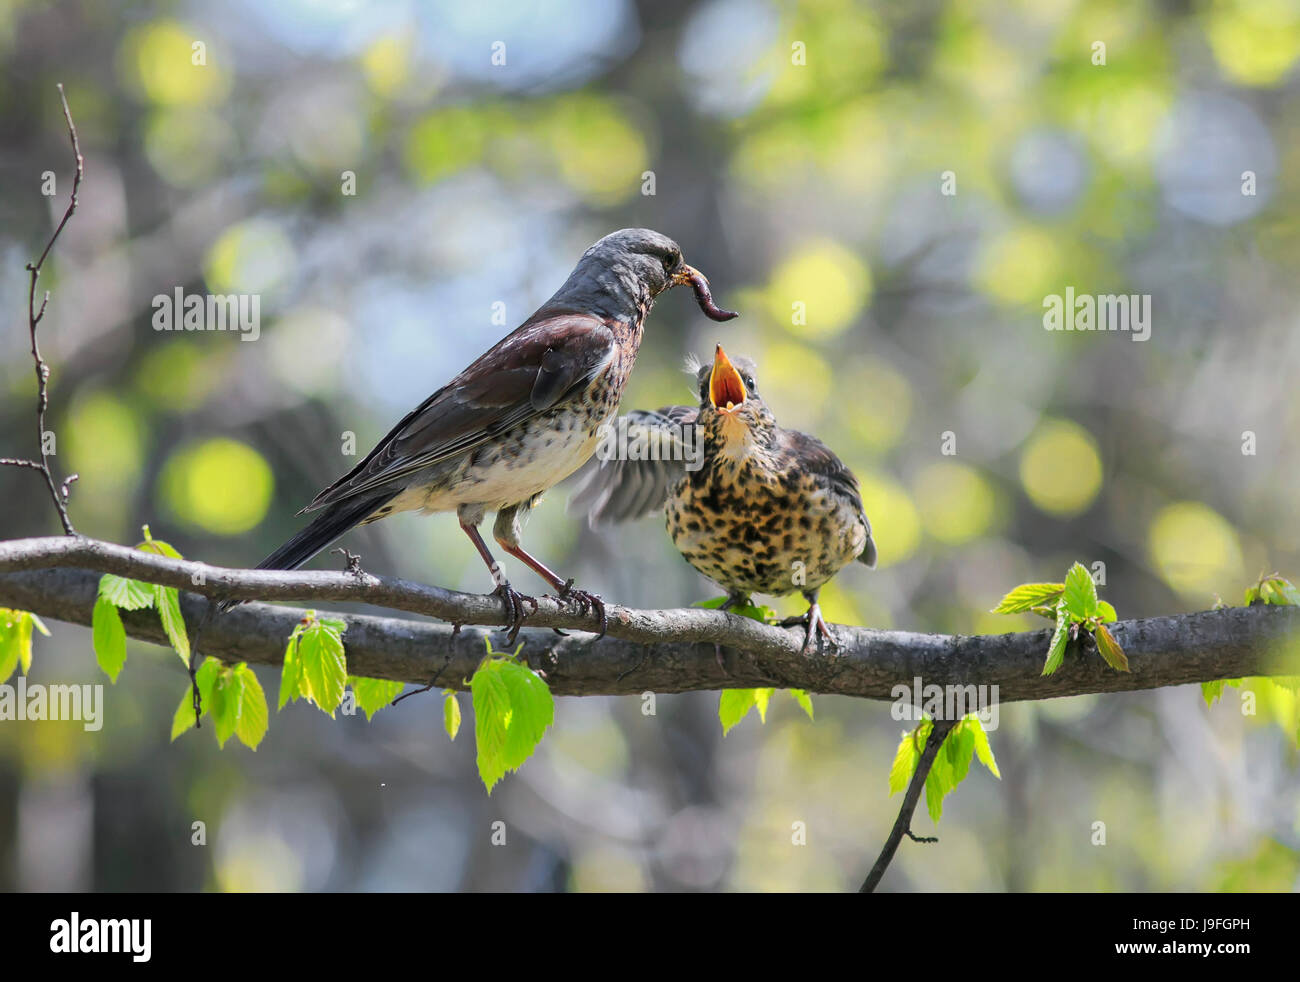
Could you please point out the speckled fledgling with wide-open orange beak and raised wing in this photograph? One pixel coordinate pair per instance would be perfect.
(769, 511)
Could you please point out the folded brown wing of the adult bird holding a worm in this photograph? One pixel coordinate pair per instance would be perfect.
(523, 375)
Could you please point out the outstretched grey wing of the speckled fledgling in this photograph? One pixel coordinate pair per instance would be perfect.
(614, 488)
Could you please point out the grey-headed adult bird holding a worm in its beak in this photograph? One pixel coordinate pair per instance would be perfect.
(517, 422)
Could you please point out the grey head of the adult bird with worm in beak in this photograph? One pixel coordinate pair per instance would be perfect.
(625, 272)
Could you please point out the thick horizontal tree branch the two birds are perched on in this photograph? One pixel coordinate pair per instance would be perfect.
(662, 651)
